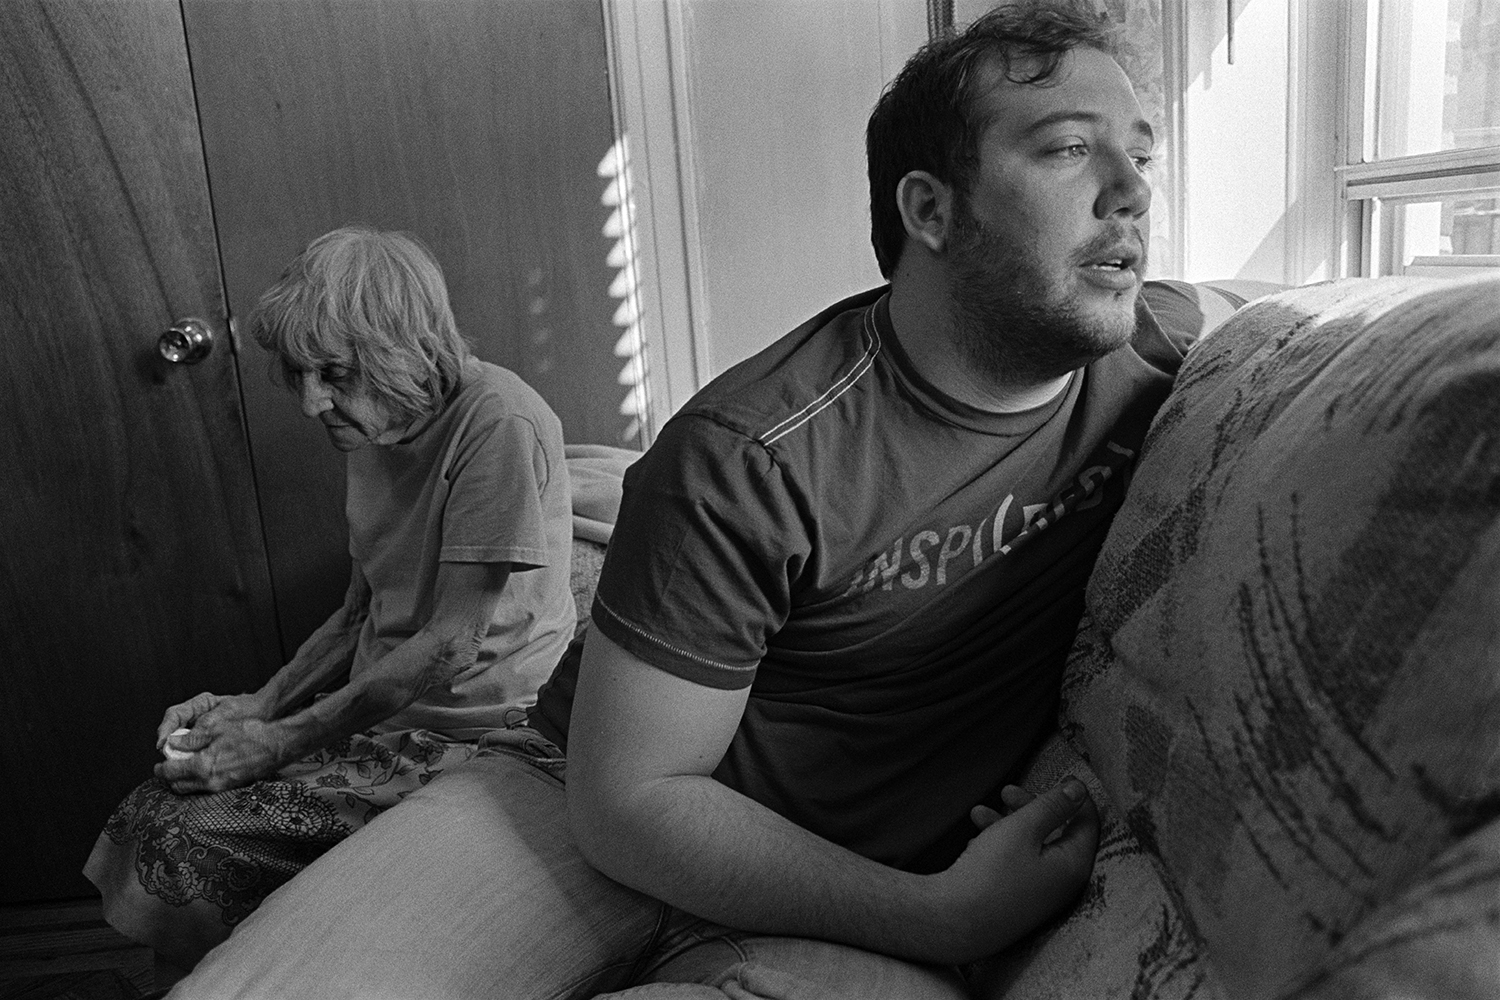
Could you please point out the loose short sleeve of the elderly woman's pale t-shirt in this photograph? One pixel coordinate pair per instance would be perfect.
(497, 475)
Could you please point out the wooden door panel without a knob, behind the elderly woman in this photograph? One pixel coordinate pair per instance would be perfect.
(479, 125)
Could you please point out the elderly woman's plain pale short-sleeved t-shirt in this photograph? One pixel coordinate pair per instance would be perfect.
(484, 482)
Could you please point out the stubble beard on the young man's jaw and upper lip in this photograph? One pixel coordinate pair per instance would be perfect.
(1015, 325)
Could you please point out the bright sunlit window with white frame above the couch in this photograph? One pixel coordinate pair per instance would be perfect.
(1421, 161)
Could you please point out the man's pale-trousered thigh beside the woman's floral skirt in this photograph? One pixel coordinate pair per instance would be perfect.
(470, 888)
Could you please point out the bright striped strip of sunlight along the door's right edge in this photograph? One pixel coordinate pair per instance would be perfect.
(622, 229)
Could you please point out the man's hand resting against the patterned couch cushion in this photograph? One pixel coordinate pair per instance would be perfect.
(1021, 869)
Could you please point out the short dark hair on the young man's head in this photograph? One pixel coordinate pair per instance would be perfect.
(929, 119)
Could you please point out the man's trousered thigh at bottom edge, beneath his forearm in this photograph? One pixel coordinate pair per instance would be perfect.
(710, 962)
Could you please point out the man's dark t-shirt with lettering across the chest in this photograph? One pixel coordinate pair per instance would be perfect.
(898, 576)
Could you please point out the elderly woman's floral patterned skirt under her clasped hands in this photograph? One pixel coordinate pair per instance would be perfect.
(179, 872)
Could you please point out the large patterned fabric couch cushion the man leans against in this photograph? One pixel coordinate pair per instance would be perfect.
(1291, 686)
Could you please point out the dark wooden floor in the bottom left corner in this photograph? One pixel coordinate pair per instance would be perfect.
(65, 951)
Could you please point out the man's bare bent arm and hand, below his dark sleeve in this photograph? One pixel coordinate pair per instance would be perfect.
(646, 812)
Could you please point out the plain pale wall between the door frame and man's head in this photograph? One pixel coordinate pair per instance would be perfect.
(778, 142)
